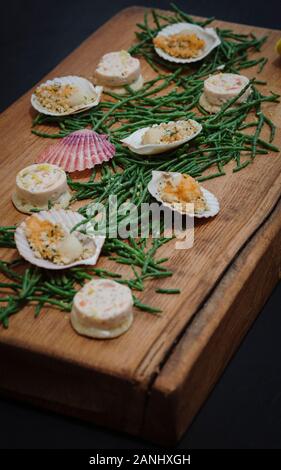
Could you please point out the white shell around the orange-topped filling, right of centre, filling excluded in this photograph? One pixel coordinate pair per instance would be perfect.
(212, 203)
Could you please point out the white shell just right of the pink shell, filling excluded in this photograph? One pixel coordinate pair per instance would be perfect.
(134, 140)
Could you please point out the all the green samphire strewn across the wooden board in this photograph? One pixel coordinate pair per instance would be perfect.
(221, 141)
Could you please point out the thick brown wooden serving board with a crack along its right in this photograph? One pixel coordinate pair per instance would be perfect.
(151, 381)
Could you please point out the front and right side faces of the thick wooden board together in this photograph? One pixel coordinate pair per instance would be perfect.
(161, 412)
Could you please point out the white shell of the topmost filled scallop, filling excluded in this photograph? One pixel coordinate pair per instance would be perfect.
(209, 35)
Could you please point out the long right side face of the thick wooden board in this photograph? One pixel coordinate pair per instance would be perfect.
(213, 335)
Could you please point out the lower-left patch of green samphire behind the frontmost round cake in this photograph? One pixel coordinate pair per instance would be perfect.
(25, 284)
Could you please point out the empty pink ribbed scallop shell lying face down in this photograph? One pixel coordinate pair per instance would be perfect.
(79, 150)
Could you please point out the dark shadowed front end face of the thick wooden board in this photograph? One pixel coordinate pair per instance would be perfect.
(76, 391)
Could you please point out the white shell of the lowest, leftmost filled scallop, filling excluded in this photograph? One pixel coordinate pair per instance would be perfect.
(67, 219)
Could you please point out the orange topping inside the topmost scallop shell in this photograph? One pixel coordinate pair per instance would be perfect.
(183, 45)
